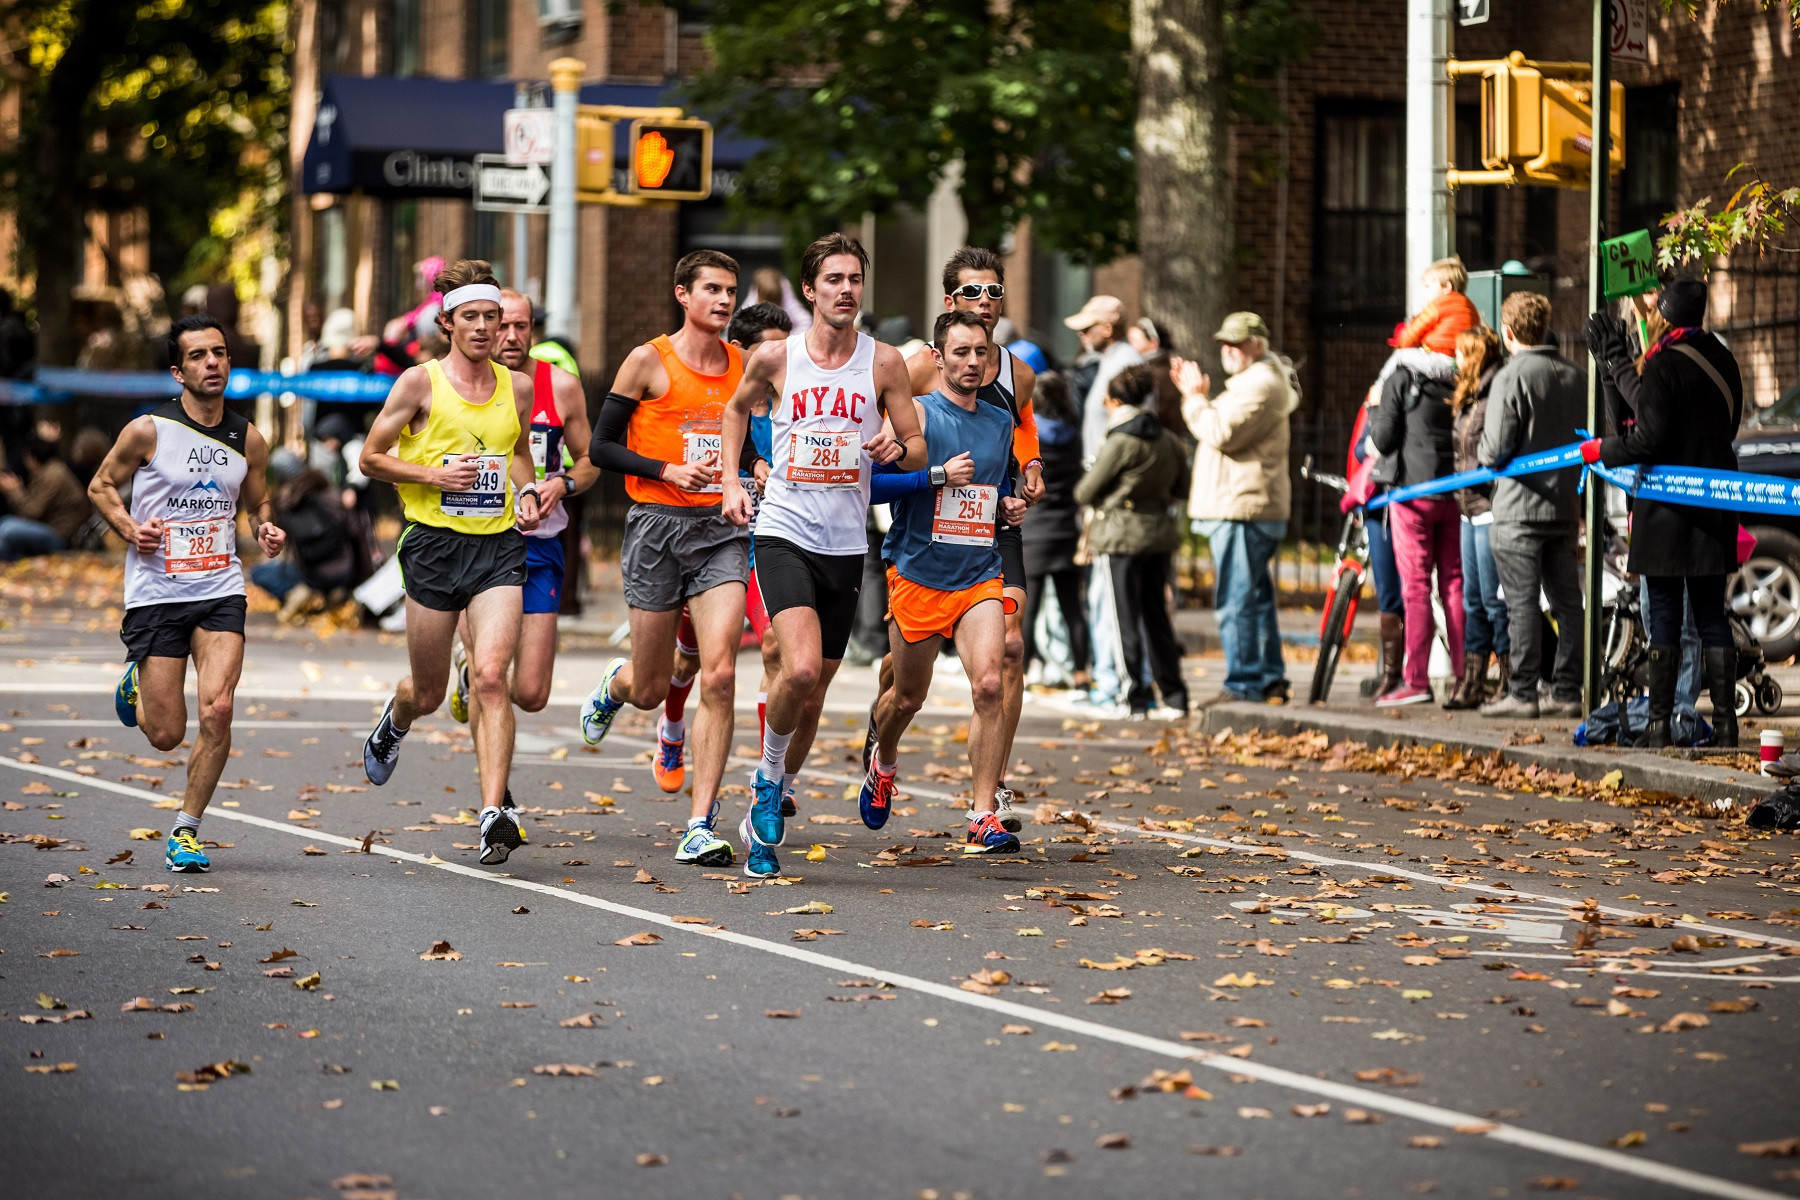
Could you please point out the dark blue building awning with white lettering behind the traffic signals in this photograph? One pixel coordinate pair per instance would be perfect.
(420, 138)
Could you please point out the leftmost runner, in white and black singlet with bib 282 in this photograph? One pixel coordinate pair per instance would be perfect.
(192, 467)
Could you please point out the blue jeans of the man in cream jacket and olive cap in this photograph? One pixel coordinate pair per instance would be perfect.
(1245, 604)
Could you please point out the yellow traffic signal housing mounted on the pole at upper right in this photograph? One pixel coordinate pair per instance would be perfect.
(1538, 123)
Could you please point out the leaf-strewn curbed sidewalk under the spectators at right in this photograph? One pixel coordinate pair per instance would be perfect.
(1714, 776)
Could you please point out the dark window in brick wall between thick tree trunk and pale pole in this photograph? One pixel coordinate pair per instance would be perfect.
(1360, 228)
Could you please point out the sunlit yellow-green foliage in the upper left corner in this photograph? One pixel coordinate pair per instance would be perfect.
(188, 116)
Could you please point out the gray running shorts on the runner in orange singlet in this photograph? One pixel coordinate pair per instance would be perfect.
(672, 553)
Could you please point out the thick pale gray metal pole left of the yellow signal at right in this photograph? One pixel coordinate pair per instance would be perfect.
(1428, 199)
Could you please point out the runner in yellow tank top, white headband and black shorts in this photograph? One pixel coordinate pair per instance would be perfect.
(454, 440)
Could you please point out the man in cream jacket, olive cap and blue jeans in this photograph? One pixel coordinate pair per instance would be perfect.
(1241, 496)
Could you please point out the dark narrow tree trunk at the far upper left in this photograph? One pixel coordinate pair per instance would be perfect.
(62, 192)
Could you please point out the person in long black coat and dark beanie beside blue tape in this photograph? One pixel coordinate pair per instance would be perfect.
(1689, 404)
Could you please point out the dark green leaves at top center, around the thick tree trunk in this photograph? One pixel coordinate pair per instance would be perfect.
(865, 105)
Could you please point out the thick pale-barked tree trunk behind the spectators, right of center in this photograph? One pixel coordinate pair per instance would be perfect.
(1183, 143)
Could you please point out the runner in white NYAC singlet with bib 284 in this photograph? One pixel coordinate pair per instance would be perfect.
(832, 390)
